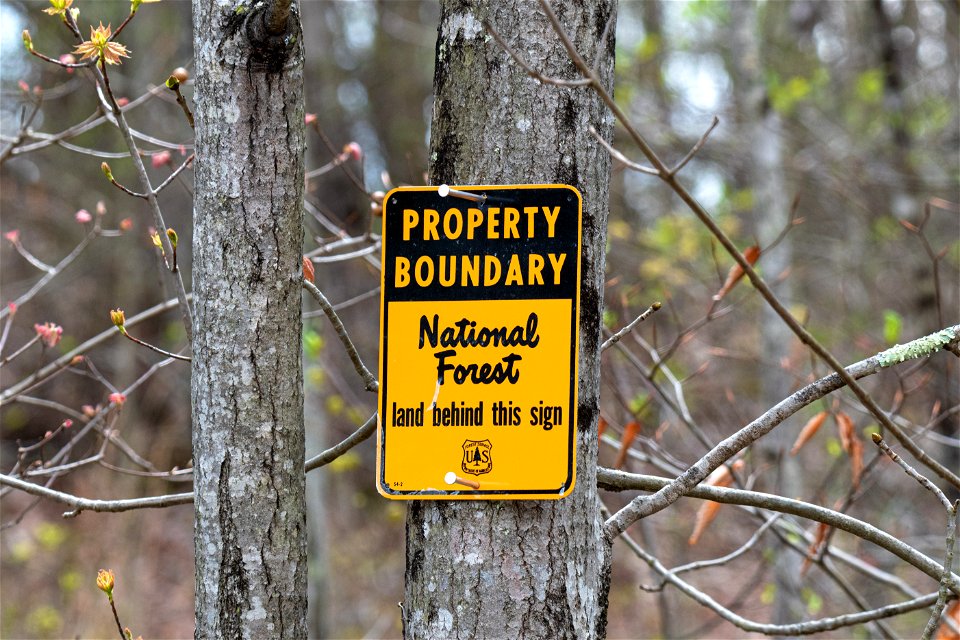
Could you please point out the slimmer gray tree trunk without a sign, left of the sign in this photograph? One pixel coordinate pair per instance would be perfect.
(247, 385)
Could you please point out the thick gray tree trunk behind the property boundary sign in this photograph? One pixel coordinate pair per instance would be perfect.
(520, 569)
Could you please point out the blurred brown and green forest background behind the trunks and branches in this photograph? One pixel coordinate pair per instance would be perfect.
(837, 152)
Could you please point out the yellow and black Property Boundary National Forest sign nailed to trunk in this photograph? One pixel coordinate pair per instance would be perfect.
(479, 327)
